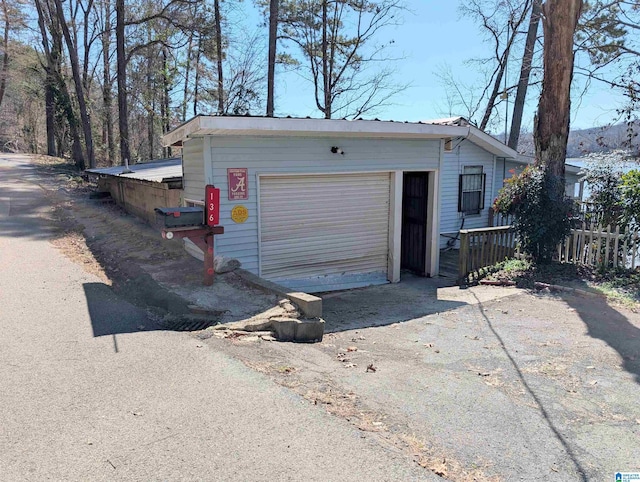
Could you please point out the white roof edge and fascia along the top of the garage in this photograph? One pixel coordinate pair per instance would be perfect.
(297, 127)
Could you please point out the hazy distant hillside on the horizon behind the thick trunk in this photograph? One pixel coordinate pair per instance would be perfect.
(585, 141)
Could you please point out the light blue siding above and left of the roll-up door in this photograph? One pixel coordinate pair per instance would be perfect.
(300, 155)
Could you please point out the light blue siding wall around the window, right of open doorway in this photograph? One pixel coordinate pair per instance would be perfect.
(464, 154)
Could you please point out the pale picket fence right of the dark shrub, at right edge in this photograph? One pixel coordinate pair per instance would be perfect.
(601, 247)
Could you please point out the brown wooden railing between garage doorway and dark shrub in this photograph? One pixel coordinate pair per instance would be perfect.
(480, 248)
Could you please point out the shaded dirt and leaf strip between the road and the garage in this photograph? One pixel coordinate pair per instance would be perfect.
(131, 255)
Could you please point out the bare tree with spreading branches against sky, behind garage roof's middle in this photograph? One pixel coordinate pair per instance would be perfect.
(337, 40)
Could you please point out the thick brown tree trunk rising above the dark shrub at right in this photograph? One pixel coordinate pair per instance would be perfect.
(551, 125)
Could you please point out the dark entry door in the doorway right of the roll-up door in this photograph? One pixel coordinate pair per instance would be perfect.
(414, 222)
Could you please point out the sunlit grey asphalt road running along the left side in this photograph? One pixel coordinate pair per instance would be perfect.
(89, 389)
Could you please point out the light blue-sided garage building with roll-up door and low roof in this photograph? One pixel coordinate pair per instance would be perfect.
(320, 205)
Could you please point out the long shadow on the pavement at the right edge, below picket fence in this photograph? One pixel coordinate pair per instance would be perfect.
(609, 325)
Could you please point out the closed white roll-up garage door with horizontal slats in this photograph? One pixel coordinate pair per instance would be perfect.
(325, 232)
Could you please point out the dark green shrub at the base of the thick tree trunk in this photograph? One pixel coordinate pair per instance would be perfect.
(541, 209)
